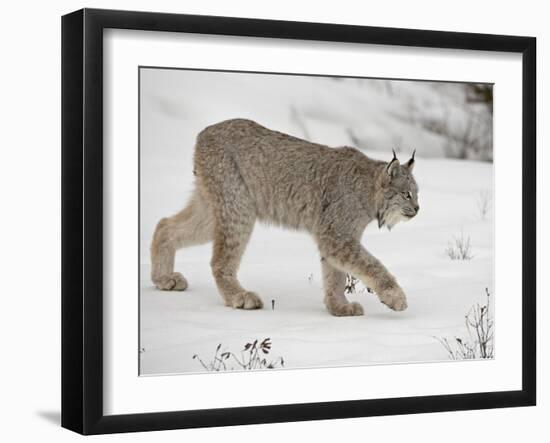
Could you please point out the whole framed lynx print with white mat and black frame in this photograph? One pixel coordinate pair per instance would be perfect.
(269, 221)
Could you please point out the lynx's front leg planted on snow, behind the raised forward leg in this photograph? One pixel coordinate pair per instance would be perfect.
(335, 299)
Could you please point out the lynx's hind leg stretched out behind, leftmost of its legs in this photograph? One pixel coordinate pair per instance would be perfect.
(192, 226)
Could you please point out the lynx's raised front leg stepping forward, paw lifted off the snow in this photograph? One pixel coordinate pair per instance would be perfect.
(347, 255)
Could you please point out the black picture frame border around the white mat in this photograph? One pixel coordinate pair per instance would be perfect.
(82, 220)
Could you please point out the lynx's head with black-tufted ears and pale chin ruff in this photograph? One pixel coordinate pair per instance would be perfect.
(400, 193)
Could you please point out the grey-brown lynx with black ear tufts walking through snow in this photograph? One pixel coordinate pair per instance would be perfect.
(246, 172)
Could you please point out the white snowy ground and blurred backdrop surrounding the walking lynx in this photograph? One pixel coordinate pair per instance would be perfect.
(450, 126)
